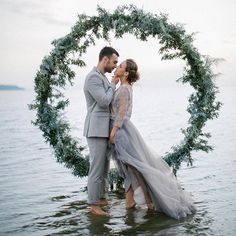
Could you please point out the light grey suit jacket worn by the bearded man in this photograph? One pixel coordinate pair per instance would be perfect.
(98, 93)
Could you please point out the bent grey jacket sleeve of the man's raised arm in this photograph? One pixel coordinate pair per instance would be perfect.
(96, 89)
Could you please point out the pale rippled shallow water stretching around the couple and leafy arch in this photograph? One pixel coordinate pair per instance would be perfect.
(40, 197)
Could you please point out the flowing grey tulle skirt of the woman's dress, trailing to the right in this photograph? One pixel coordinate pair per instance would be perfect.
(139, 165)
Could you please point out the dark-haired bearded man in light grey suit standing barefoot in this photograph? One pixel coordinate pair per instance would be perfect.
(99, 93)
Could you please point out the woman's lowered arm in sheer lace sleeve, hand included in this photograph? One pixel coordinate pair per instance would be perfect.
(124, 99)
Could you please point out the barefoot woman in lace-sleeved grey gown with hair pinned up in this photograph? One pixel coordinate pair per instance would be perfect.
(136, 163)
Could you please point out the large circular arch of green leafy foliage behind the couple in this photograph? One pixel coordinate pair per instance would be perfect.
(55, 73)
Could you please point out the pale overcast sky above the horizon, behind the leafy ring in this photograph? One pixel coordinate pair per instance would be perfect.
(28, 27)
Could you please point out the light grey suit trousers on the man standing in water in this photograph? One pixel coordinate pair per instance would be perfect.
(98, 171)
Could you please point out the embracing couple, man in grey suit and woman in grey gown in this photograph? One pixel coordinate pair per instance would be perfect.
(108, 122)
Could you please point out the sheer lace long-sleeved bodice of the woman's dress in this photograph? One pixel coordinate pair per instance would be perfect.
(121, 106)
